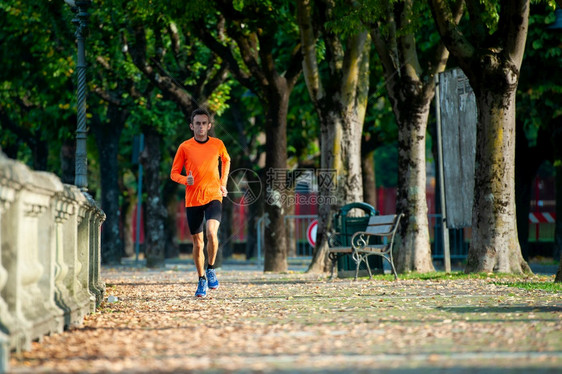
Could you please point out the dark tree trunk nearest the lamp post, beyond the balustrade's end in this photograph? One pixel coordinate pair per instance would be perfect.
(107, 135)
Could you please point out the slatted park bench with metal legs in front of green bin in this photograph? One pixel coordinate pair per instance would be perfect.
(362, 245)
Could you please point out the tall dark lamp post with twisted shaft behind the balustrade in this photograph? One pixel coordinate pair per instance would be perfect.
(80, 9)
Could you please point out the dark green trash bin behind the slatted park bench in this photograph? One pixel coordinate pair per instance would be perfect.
(346, 226)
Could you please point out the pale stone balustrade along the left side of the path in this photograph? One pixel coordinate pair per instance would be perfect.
(49, 256)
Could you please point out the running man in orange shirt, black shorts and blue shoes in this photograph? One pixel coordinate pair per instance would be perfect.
(204, 191)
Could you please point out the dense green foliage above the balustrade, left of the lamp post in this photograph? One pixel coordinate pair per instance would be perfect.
(36, 91)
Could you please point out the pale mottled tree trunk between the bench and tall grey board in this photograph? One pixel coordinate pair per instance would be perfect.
(413, 248)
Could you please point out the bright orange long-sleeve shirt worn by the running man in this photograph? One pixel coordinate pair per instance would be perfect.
(202, 160)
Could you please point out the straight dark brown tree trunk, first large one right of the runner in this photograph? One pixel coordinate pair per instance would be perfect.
(275, 243)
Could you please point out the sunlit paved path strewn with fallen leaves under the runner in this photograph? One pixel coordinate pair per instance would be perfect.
(297, 322)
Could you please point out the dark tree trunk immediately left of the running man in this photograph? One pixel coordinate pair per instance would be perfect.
(155, 236)
